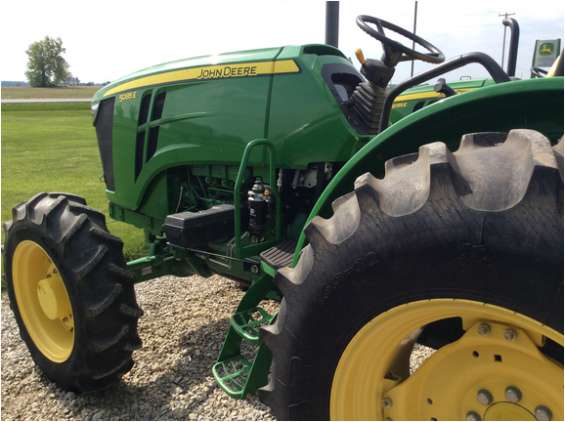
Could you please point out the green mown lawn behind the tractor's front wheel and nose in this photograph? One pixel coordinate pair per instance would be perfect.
(52, 147)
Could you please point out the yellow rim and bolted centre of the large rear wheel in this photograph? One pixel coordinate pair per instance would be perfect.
(494, 371)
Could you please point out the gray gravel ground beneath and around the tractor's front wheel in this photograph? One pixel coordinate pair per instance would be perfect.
(182, 331)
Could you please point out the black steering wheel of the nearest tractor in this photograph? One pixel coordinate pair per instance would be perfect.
(394, 51)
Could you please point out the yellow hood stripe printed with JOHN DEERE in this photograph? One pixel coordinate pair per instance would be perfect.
(234, 70)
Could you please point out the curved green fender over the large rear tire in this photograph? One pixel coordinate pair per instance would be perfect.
(521, 104)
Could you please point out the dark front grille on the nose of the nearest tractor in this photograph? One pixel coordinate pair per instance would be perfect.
(104, 122)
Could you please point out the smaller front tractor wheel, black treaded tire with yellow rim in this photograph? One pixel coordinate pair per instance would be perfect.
(70, 291)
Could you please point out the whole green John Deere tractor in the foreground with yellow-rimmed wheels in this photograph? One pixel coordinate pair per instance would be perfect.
(280, 169)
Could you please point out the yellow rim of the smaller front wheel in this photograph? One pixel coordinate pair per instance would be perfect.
(43, 301)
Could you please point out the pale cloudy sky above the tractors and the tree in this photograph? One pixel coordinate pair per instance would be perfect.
(107, 39)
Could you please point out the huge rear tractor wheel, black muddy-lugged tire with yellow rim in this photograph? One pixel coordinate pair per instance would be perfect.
(466, 247)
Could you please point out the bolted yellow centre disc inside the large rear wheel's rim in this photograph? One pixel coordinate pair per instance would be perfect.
(483, 375)
